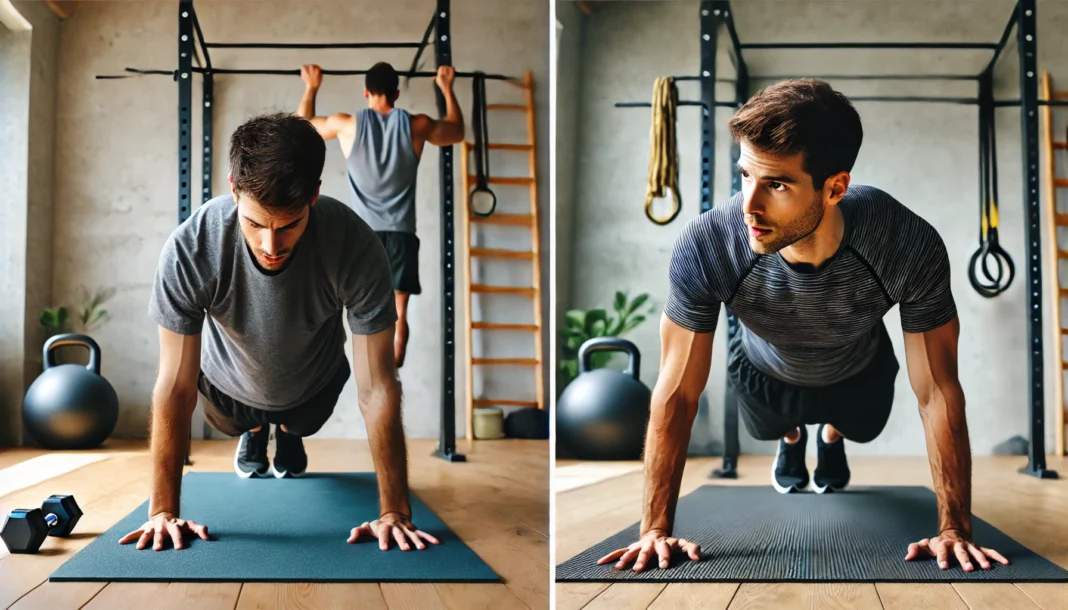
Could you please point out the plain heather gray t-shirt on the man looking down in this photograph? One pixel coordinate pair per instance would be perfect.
(272, 342)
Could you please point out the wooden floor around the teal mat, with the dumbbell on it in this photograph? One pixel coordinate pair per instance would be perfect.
(497, 504)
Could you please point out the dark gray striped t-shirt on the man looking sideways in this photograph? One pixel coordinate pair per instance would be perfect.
(813, 329)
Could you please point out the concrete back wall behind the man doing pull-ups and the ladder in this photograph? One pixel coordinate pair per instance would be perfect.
(117, 197)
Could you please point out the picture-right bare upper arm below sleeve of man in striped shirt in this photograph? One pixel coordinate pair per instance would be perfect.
(932, 361)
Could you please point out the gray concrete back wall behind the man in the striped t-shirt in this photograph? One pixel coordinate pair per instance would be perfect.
(923, 154)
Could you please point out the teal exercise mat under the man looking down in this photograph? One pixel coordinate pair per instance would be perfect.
(278, 530)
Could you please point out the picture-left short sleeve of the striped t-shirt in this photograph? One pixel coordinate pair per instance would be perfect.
(692, 303)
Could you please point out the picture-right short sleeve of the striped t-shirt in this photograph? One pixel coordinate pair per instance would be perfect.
(928, 301)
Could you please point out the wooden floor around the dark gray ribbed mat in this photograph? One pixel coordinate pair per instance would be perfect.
(1033, 512)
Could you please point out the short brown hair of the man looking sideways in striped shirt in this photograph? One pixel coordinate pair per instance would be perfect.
(803, 116)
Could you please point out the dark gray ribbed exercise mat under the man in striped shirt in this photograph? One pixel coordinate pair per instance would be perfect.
(756, 535)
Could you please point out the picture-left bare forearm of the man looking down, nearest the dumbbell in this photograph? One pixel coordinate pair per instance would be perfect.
(169, 439)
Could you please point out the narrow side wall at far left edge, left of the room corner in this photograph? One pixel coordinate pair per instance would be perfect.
(28, 68)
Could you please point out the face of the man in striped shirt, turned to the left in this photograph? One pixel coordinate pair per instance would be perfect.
(780, 205)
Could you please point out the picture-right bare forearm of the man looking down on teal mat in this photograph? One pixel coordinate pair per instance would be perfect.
(388, 449)
